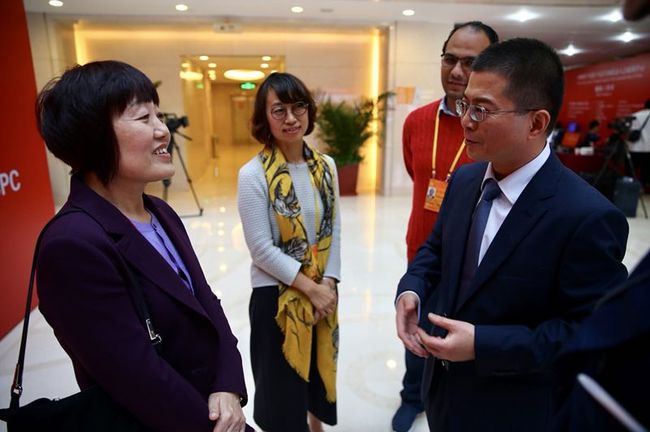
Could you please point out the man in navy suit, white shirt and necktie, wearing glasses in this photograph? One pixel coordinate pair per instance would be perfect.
(515, 273)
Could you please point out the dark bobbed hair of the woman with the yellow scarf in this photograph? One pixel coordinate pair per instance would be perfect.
(290, 89)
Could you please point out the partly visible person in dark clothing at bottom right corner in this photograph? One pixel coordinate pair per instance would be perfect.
(611, 347)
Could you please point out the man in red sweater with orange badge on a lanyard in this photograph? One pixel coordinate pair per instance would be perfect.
(433, 146)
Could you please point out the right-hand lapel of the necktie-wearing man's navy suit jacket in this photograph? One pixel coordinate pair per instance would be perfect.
(523, 216)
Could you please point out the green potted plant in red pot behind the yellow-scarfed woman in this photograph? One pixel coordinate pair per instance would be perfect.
(345, 127)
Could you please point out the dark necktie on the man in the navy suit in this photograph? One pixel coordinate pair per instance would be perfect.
(479, 220)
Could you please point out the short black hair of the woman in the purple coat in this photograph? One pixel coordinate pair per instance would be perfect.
(75, 114)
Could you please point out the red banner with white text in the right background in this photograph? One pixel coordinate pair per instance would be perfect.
(605, 91)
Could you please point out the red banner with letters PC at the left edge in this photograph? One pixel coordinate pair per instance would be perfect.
(25, 193)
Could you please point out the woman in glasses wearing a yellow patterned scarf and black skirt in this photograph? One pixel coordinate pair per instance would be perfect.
(288, 204)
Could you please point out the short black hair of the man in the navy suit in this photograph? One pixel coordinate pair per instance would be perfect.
(533, 70)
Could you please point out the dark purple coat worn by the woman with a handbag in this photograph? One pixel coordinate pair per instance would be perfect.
(81, 276)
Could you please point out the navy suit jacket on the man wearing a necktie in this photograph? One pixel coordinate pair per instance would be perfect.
(557, 252)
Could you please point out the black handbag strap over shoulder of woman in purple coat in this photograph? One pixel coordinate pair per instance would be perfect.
(136, 294)
